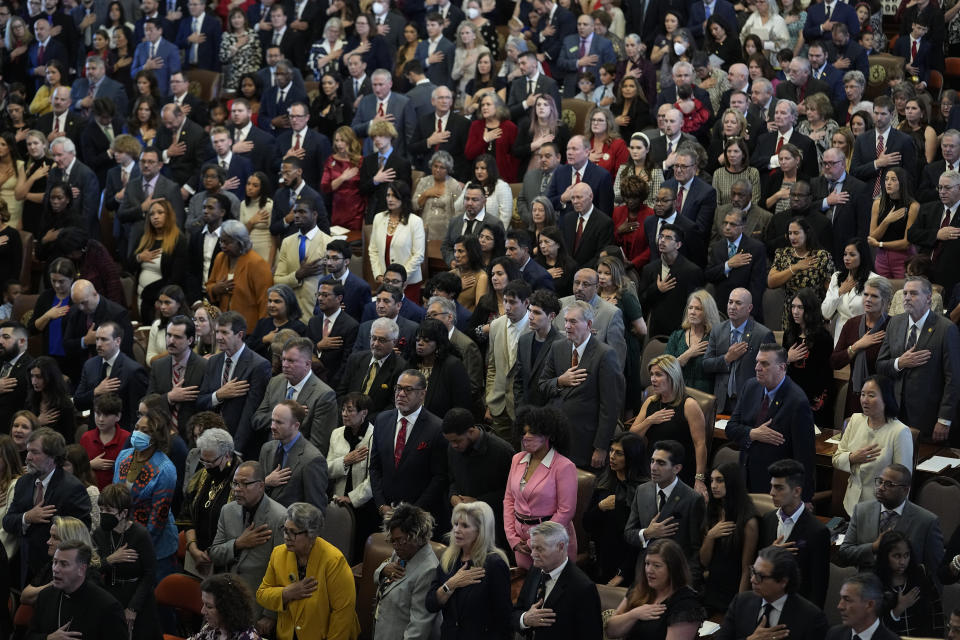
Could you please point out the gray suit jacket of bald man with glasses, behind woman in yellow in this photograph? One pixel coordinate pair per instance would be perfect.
(249, 564)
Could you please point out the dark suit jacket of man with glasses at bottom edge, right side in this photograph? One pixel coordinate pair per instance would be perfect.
(804, 619)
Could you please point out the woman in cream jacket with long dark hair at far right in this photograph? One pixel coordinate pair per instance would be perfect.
(872, 440)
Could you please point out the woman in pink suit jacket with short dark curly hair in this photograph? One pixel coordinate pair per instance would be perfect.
(542, 484)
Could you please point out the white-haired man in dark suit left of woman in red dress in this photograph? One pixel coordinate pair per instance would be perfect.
(442, 130)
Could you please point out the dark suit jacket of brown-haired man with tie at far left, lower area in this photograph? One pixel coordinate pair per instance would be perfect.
(70, 497)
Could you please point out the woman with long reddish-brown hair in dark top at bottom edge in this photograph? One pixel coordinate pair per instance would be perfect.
(661, 604)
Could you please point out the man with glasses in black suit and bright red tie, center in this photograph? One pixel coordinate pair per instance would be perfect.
(408, 455)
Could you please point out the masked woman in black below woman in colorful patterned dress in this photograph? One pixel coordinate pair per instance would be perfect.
(128, 568)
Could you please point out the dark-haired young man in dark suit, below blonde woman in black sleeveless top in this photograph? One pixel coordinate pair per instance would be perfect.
(665, 507)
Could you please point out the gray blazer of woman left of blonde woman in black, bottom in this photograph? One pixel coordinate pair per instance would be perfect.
(402, 608)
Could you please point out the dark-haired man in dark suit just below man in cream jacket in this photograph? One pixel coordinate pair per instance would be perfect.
(333, 331)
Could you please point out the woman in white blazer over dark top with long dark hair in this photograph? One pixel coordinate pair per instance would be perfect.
(398, 237)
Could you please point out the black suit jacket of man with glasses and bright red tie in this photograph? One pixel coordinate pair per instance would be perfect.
(421, 476)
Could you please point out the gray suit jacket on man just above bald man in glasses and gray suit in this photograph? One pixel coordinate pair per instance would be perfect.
(308, 481)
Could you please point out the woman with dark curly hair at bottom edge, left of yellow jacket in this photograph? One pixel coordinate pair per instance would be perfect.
(229, 611)
